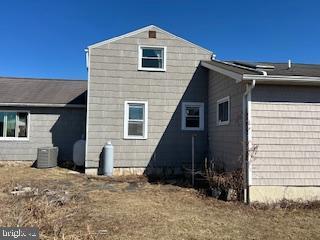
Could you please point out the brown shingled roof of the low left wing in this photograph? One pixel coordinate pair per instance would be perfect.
(42, 92)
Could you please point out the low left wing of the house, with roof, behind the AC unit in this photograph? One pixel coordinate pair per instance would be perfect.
(40, 113)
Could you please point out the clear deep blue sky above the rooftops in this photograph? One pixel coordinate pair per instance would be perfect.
(47, 38)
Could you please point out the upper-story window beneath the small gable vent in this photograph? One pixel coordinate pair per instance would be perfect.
(152, 58)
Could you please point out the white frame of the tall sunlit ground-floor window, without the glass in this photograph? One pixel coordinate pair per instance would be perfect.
(126, 120)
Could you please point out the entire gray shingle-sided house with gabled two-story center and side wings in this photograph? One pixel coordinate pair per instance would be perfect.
(166, 103)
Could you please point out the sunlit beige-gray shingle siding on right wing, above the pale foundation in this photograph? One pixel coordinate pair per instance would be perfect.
(286, 135)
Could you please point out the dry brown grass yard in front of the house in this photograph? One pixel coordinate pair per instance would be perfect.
(105, 208)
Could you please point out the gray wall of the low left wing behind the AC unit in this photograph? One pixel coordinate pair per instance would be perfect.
(48, 127)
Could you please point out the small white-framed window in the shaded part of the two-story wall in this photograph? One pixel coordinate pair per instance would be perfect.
(192, 116)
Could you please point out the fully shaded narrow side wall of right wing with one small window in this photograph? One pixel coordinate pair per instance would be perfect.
(225, 142)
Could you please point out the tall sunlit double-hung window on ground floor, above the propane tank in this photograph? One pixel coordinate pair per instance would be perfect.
(136, 120)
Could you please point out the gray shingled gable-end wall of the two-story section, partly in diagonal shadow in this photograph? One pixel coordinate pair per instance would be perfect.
(114, 78)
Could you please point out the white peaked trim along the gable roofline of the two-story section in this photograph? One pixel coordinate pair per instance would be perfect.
(142, 30)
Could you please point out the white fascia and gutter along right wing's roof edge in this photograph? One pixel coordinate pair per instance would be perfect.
(279, 79)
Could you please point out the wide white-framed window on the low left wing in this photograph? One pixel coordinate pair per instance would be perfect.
(14, 125)
